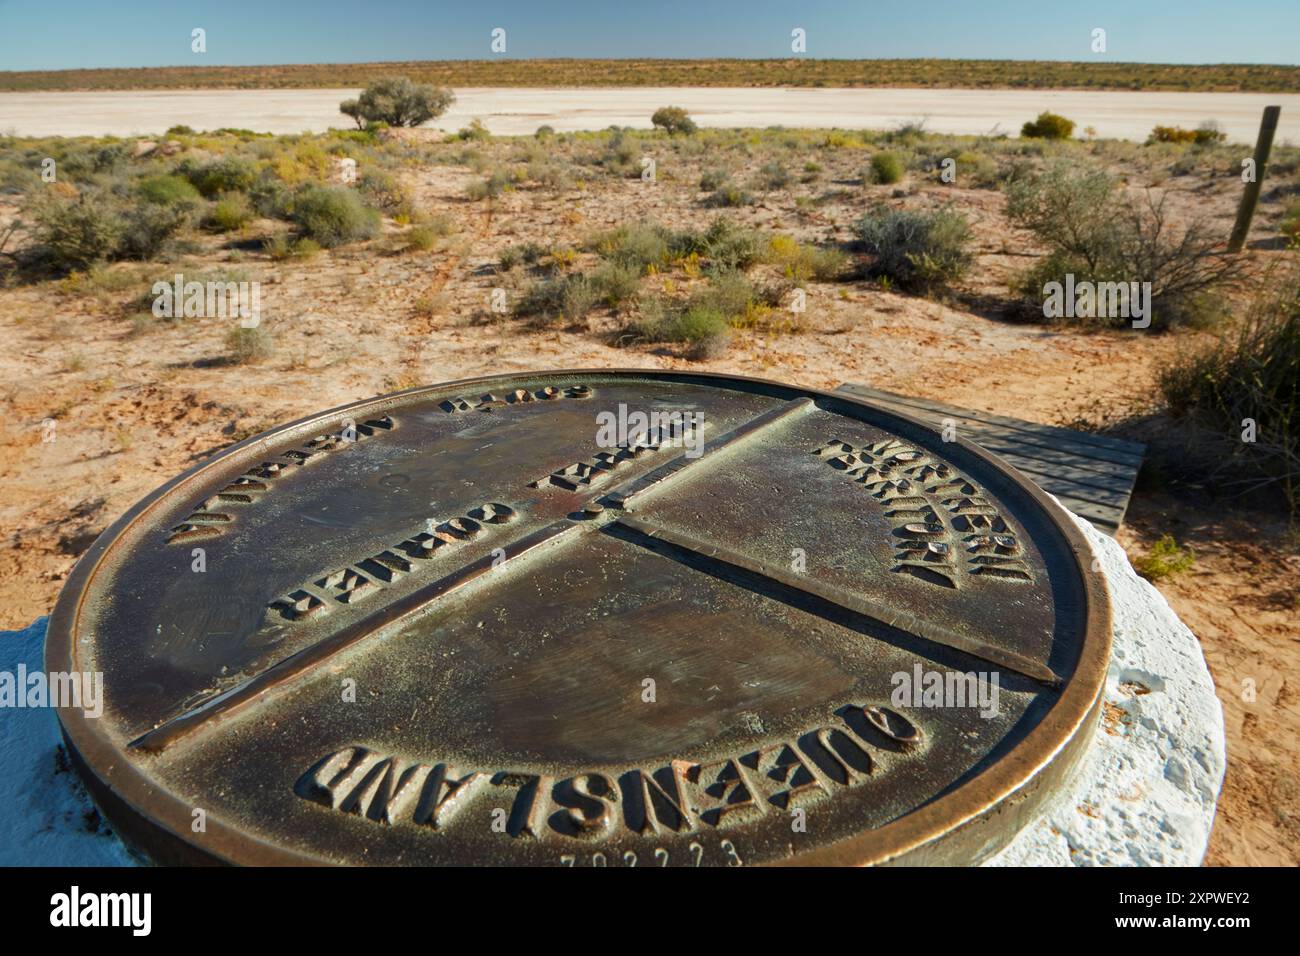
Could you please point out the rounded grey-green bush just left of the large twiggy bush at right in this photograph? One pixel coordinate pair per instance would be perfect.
(924, 252)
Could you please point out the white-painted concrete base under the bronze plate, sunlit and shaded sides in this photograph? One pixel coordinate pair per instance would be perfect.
(1143, 794)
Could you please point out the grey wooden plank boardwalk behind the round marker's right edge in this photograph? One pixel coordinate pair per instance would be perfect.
(1091, 475)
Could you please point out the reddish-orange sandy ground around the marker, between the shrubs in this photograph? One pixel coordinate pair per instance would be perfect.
(136, 406)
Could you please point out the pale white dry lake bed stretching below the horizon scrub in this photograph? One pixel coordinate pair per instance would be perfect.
(519, 111)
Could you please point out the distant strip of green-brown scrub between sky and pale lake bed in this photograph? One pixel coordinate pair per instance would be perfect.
(1034, 75)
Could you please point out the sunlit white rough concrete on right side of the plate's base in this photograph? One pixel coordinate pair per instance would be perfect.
(1145, 793)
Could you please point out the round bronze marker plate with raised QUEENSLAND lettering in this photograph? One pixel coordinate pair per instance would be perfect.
(586, 618)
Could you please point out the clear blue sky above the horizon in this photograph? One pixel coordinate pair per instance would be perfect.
(64, 34)
